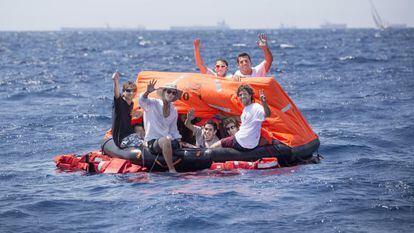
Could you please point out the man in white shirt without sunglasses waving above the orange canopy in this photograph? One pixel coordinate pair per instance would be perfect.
(245, 64)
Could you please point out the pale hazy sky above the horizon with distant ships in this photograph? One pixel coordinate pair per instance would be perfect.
(161, 14)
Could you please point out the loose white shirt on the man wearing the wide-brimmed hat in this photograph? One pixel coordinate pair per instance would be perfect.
(156, 125)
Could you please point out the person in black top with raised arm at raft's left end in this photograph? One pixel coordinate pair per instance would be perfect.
(122, 131)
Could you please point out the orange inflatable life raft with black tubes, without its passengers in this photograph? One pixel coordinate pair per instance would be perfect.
(291, 139)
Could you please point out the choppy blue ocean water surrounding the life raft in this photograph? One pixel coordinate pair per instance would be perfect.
(355, 88)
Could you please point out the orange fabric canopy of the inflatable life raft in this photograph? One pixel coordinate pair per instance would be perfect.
(210, 96)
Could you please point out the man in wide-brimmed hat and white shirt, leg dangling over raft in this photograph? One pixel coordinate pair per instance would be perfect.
(160, 120)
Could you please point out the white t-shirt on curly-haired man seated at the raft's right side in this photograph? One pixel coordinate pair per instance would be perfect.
(252, 118)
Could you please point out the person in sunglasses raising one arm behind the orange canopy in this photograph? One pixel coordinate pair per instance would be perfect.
(221, 67)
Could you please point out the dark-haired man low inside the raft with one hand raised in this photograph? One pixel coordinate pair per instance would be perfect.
(206, 135)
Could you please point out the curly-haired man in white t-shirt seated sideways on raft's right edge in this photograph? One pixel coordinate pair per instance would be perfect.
(252, 117)
